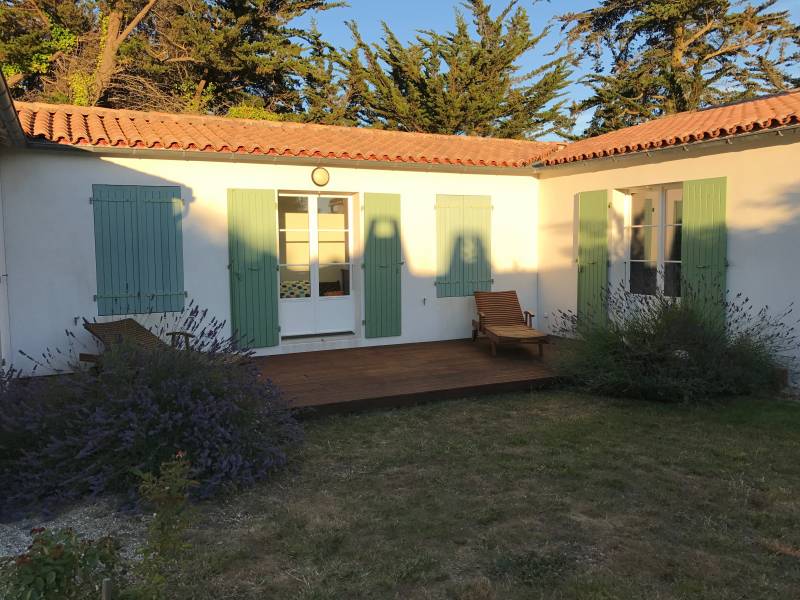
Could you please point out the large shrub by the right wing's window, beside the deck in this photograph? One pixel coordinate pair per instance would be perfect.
(657, 348)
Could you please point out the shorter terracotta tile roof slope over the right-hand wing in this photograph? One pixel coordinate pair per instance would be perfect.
(682, 128)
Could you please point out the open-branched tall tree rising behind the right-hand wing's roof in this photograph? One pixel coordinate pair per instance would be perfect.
(657, 57)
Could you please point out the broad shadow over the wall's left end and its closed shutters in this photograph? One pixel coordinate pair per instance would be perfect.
(54, 281)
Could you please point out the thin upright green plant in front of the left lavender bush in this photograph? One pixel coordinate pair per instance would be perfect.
(167, 495)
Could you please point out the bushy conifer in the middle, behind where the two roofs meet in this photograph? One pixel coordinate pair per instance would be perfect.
(456, 83)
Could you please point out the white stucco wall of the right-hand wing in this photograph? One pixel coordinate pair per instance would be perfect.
(763, 215)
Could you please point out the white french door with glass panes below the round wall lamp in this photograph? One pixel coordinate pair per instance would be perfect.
(315, 269)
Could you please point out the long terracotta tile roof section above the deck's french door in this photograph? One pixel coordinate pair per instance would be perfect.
(81, 126)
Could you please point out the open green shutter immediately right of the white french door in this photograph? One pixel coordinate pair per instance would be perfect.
(382, 265)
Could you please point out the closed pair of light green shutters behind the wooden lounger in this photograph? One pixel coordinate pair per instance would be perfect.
(463, 245)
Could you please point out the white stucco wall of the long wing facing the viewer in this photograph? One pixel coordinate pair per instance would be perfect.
(50, 238)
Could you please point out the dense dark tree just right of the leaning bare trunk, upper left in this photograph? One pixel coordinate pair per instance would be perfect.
(214, 55)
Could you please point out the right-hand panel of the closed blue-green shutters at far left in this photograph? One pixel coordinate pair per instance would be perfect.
(160, 249)
